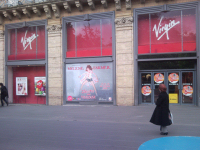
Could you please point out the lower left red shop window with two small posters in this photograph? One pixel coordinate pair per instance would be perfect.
(29, 84)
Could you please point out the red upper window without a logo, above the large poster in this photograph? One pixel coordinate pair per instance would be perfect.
(89, 38)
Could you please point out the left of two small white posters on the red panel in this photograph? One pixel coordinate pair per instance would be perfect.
(21, 86)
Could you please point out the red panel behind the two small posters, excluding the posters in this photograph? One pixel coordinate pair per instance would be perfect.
(30, 73)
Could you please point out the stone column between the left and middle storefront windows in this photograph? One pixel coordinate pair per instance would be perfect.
(55, 74)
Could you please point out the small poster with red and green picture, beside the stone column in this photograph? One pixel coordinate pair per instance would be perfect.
(40, 86)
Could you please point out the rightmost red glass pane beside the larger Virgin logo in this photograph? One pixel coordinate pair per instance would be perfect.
(189, 30)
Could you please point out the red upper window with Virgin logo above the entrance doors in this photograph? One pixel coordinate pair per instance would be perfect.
(167, 32)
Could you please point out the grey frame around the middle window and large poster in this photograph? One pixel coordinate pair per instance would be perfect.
(95, 59)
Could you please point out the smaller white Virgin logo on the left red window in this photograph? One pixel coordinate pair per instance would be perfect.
(27, 41)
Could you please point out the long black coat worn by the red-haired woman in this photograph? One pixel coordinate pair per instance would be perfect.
(161, 113)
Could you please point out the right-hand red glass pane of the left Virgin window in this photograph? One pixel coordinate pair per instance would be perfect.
(41, 42)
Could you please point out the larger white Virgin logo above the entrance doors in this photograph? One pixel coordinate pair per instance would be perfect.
(160, 31)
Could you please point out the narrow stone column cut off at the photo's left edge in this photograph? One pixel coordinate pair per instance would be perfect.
(2, 57)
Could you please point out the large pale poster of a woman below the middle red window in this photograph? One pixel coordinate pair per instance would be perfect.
(89, 82)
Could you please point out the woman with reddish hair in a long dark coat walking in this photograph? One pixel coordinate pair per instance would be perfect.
(161, 113)
